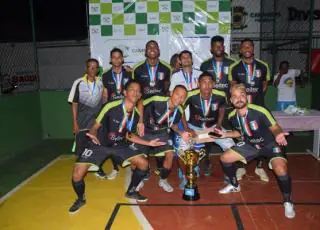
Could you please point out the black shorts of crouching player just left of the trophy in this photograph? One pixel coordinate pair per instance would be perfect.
(161, 150)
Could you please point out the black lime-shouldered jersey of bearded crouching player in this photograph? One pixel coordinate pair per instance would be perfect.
(254, 126)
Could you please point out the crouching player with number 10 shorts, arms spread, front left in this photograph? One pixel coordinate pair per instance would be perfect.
(115, 124)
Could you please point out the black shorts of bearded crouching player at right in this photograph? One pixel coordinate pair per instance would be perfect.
(249, 152)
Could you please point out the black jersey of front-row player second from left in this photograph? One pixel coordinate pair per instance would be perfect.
(157, 115)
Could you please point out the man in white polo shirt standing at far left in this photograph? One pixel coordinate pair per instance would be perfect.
(87, 96)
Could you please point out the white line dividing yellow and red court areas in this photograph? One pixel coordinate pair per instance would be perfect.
(135, 209)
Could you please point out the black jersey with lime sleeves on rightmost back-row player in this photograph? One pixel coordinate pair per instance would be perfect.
(253, 77)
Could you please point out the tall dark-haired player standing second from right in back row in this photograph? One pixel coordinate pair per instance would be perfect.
(218, 65)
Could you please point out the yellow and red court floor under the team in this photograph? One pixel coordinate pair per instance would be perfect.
(42, 201)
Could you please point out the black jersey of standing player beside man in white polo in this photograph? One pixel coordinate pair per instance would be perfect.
(115, 83)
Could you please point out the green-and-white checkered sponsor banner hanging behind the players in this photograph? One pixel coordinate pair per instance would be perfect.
(176, 25)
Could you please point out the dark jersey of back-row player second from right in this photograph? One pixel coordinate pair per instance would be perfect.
(219, 71)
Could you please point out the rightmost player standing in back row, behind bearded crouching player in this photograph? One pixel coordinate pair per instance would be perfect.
(254, 74)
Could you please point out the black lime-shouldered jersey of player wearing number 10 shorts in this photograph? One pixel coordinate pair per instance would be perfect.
(116, 123)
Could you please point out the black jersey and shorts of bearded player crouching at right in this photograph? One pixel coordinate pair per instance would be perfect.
(258, 140)
